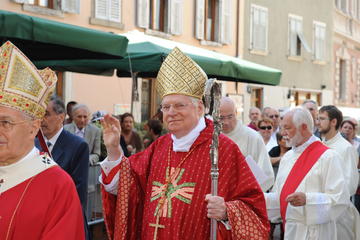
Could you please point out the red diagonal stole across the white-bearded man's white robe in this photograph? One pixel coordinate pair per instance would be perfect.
(300, 169)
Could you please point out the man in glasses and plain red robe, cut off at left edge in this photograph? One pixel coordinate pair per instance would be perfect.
(38, 199)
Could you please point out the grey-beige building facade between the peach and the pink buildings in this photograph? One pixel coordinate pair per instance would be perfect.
(295, 37)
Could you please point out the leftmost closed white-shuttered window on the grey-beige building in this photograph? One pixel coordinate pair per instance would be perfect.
(258, 28)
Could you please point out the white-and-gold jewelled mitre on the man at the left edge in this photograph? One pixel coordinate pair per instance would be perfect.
(22, 86)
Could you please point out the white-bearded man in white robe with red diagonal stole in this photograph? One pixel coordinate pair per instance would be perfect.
(310, 192)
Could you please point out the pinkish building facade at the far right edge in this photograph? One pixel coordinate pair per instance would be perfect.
(346, 56)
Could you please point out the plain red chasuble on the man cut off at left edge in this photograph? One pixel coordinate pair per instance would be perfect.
(44, 207)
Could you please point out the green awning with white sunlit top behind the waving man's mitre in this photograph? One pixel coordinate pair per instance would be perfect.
(146, 53)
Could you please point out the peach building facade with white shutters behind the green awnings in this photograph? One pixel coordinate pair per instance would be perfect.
(210, 24)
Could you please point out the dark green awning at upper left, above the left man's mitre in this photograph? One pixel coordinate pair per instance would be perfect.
(59, 45)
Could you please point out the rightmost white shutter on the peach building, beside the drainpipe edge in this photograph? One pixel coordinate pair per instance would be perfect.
(225, 21)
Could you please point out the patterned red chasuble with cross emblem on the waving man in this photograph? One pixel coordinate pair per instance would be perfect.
(131, 214)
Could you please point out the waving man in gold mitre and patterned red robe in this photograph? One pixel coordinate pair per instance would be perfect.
(163, 192)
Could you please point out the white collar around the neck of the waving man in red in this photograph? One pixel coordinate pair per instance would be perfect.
(184, 144)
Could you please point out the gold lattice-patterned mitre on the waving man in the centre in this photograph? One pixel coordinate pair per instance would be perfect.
(179, 74)
